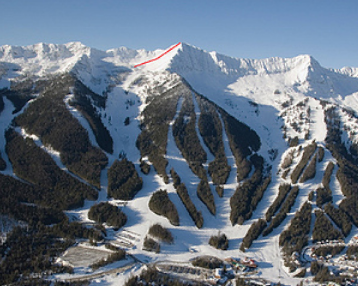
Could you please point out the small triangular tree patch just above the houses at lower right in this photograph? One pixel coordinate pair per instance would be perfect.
(323, 229)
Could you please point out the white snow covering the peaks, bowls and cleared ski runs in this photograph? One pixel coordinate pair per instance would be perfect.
(253, 91)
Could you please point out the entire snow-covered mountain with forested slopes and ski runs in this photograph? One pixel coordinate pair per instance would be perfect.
(252, 142)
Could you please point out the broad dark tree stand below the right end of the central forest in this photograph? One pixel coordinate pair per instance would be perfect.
(246, 197)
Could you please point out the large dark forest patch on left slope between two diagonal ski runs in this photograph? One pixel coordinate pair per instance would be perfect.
(49, 118)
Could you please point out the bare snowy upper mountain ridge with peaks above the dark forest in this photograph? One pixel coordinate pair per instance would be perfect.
(300, 75)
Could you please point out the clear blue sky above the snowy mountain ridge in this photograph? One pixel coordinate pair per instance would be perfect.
(325, 29)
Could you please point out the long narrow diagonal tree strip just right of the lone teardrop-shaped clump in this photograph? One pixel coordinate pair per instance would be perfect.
(183, 194)
